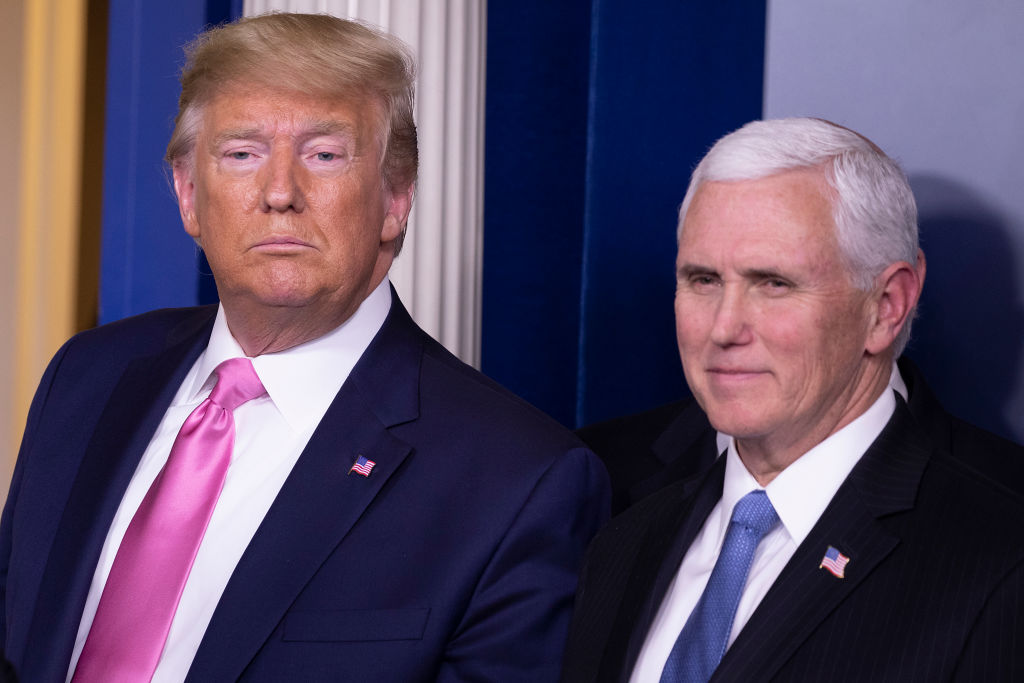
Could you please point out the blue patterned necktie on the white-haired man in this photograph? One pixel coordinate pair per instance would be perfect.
(702, 643)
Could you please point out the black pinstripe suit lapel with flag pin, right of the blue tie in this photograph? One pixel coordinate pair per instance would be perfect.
(884, 483)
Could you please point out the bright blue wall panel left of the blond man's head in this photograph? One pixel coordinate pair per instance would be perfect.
(147, 263)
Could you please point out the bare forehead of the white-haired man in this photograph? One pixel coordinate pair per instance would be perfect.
(784, 216)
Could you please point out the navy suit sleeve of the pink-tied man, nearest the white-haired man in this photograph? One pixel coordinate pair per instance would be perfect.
(517, 624)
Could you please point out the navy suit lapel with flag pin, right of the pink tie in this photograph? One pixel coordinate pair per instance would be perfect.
(320, 502)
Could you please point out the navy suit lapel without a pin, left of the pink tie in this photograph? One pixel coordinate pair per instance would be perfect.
(132, 416)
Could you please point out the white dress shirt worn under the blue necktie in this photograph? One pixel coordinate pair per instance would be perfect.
(800, 494)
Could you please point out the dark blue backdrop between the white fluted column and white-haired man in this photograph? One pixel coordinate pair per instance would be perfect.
(596, 115)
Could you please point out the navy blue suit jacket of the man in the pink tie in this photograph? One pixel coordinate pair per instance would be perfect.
(456, 560)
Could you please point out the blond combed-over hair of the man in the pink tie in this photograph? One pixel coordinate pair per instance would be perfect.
(316, 55)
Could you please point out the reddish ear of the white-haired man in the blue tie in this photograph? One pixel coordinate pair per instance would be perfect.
(895, 297)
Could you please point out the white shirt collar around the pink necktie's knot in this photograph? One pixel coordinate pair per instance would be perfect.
(304, 380)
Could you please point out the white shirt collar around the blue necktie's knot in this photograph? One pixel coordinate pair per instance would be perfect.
(802, 492)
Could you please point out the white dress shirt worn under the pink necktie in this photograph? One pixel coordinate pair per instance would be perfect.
(271, 435)
